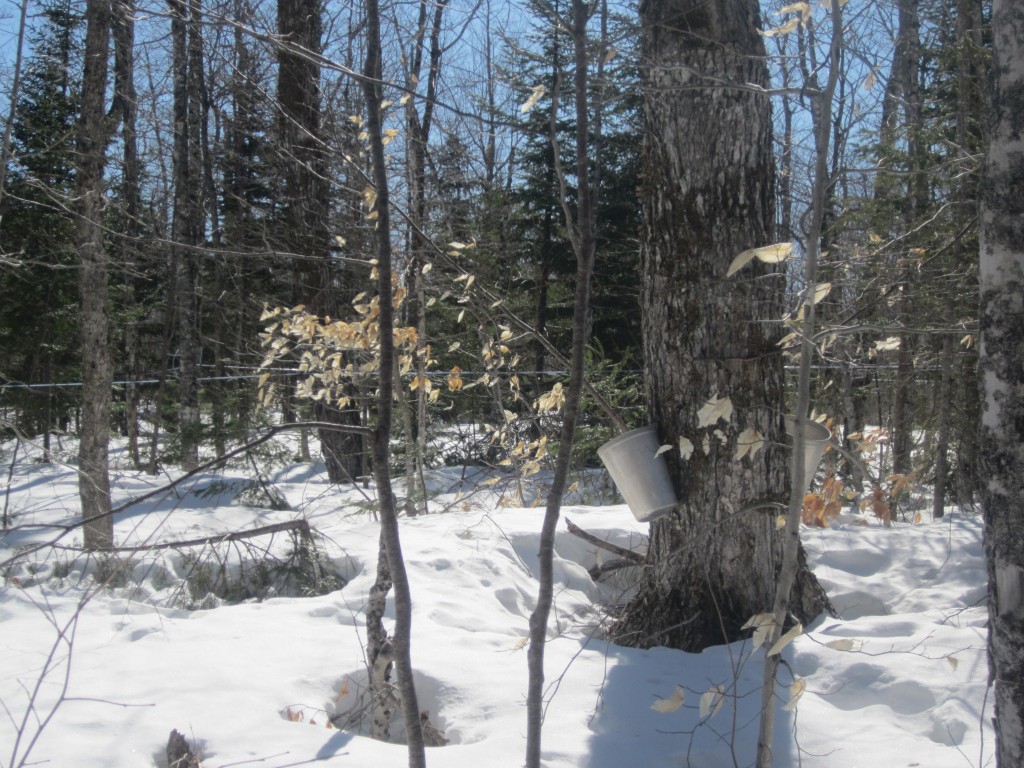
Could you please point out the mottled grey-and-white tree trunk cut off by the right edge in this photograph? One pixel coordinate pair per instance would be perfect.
(1003, 374)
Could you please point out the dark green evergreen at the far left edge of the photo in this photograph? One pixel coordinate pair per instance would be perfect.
(39, 300)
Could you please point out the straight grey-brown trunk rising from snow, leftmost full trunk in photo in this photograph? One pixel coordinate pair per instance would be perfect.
(95, 487)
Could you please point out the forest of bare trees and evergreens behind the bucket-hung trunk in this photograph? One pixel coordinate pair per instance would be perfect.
(202, 205)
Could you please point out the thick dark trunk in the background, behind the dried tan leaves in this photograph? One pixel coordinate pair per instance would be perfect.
(307, 202)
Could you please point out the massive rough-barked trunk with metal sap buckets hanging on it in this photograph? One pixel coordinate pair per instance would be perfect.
(709, 196)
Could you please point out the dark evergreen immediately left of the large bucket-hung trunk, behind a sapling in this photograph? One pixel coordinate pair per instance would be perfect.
(539, 244)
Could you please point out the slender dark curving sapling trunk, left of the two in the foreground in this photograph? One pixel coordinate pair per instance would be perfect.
(373, 93)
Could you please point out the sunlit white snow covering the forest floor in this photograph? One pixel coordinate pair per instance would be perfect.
(900, 679)
